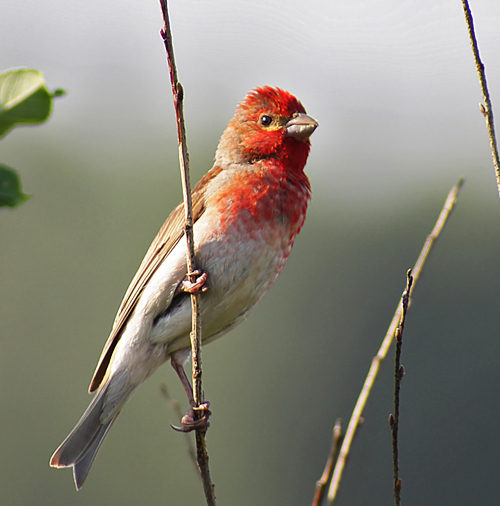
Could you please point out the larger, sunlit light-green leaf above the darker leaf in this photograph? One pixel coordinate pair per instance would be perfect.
(24, 98)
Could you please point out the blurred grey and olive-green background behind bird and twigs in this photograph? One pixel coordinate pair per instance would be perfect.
(394, 88)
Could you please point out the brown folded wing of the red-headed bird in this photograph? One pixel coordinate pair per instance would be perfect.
(168, 236)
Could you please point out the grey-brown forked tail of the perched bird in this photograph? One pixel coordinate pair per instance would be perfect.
(81, 446)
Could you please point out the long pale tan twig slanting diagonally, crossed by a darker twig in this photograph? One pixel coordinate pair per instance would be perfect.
(386, 343)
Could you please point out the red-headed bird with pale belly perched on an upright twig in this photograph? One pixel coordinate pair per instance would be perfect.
(247, 211)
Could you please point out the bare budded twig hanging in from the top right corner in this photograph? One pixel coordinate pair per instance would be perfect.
(487, 108)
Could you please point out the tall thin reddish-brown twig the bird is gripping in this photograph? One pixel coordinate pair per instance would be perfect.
(178, 95)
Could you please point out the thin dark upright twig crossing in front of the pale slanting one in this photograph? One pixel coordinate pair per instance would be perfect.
(398, 377)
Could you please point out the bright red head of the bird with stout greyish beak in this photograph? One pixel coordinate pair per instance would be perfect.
(270, 123)
